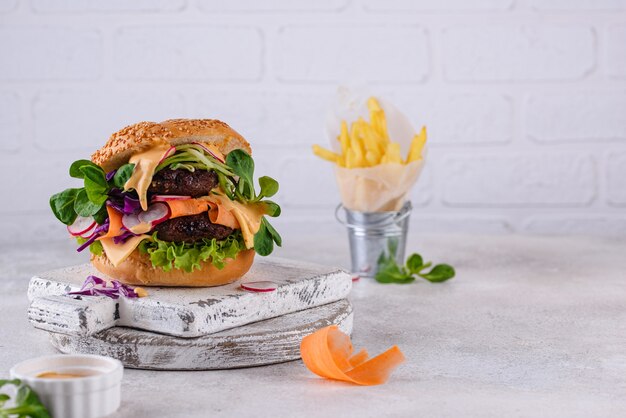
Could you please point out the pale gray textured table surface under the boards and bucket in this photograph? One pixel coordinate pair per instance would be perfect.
(530, 327)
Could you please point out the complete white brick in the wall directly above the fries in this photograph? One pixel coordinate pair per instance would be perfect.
(393, 54)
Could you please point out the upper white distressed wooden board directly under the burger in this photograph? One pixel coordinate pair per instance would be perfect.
(183, 312)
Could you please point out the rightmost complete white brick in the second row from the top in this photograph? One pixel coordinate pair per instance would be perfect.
(518, 53)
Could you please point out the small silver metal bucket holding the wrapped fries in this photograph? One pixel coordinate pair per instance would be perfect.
(375, 234)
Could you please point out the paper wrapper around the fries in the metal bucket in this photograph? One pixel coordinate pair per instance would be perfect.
(383, 187)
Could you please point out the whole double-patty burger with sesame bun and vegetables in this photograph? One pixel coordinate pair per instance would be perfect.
(171, 204)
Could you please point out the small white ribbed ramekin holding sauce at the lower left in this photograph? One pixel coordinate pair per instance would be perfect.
(96, 395)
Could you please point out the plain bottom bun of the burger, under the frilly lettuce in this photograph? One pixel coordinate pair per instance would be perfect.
(138, 270)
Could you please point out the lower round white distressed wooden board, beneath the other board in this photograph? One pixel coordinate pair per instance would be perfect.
(271, 341)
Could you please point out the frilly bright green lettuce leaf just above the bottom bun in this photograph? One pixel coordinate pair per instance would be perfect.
(188, 256)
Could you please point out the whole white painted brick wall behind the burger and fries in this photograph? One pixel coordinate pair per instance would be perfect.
(525, 100)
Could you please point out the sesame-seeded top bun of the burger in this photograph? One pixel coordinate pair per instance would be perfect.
(143, 135)
